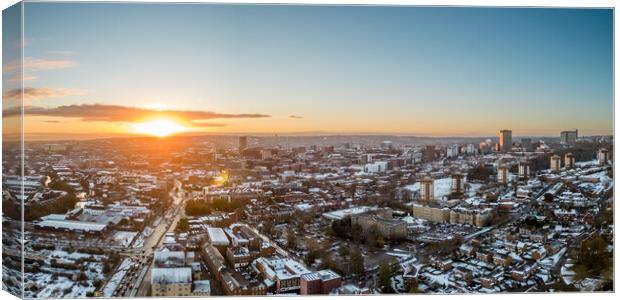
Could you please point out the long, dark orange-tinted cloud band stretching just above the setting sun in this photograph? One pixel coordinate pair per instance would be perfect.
(126, 114)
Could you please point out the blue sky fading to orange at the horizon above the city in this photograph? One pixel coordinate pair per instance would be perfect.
(101, 68)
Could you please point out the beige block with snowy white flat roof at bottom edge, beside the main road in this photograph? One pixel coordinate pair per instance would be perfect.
(171, 282)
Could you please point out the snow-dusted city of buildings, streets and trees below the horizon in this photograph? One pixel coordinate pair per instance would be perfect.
(267, 215)
